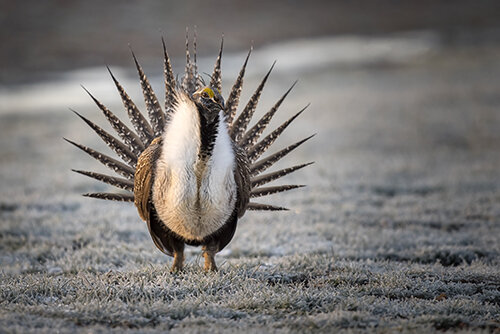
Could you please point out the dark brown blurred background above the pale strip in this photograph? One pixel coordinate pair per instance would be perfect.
(40, 39)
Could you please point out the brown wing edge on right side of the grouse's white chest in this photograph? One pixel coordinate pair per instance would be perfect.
(243, 182)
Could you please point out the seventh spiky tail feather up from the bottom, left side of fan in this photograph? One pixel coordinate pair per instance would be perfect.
(156, 116)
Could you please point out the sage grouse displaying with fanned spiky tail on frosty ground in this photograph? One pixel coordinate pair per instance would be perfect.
(193, 167)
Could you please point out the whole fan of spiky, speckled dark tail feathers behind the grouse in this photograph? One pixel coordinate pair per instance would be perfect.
(133, 143)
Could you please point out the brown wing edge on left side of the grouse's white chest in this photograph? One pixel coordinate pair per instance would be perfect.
(143, 179)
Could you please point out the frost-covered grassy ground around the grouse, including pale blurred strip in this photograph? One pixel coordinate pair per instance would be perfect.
(398, 229)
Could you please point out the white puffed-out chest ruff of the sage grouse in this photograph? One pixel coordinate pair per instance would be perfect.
(193, 199)
